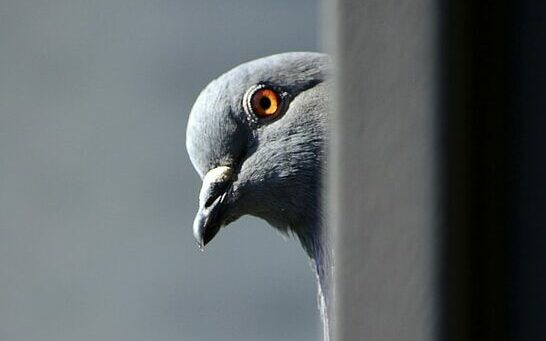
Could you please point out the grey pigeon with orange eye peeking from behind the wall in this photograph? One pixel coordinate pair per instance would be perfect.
(257, 136)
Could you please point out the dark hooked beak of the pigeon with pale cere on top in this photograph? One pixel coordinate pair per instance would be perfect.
(209, 220)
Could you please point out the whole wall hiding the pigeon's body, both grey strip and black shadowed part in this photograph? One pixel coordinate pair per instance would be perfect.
(438, 187)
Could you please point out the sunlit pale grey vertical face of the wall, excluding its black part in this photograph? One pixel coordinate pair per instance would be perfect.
(383, 177)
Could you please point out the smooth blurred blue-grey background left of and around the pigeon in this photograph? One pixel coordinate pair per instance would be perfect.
(97, 194)
